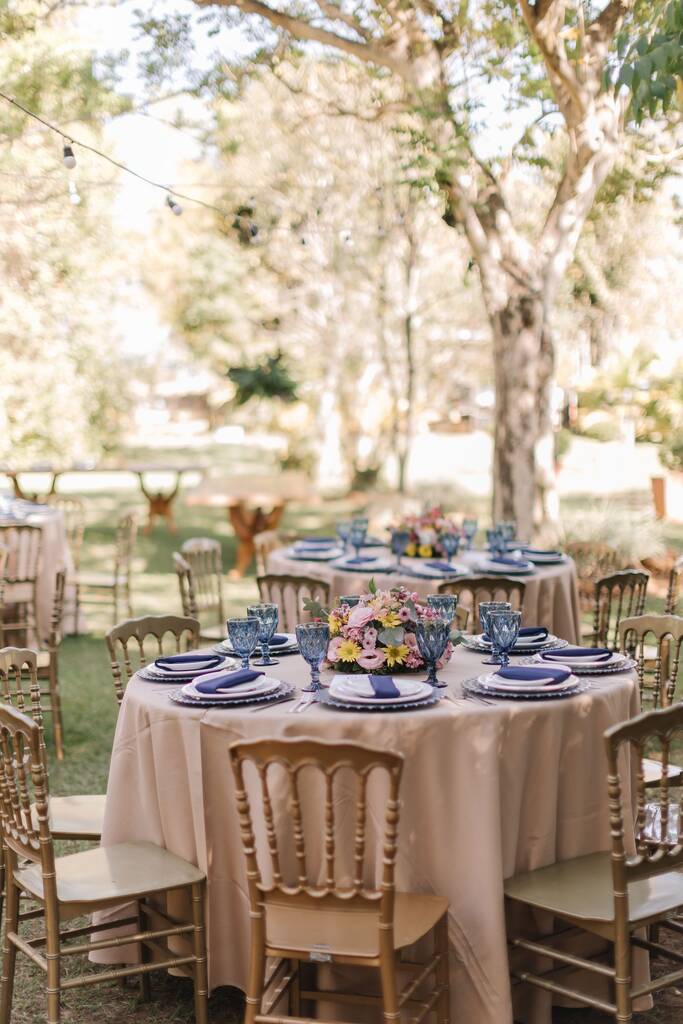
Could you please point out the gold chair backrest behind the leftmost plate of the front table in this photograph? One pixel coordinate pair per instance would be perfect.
(130, 644)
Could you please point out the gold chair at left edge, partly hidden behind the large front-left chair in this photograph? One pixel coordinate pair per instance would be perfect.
(78, 817)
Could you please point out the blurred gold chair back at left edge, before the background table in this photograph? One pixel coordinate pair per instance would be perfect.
(24, 544)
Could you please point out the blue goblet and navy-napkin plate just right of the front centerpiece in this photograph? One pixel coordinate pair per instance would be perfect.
(523, 682)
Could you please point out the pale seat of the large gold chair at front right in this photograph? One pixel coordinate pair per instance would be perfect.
(582, 888)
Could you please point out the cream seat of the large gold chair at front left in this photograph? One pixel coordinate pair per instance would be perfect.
(124, 872)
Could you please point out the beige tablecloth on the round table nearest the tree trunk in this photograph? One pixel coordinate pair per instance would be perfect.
(551, 598)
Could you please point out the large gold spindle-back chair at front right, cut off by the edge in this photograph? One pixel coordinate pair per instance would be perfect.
(616, 894)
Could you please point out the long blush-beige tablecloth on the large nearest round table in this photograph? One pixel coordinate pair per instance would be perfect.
(488, 791)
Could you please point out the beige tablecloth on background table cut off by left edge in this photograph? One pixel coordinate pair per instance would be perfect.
(55, 557)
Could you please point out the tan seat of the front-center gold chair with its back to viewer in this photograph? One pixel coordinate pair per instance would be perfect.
(351, 930)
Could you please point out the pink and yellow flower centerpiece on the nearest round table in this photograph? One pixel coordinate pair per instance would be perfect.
(377, 635)
